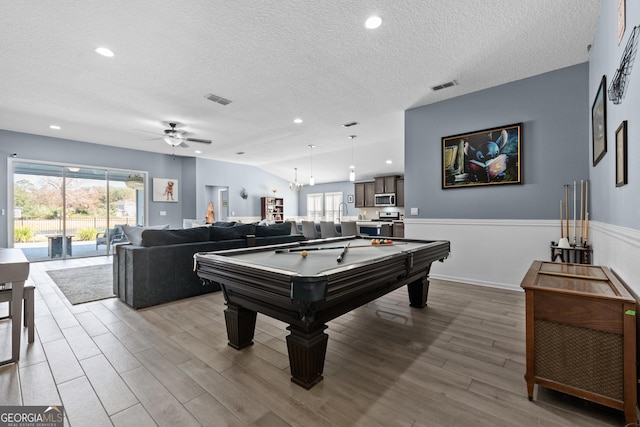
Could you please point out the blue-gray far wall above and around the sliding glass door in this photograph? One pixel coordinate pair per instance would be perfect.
(192, 174)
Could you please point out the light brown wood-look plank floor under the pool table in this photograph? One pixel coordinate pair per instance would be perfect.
(459, 362)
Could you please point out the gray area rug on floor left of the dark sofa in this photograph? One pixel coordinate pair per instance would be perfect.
(84, 284)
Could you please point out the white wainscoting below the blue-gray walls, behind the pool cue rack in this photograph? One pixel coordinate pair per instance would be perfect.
(498, 253)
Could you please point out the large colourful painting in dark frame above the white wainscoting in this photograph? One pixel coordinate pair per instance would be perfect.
(484, 157)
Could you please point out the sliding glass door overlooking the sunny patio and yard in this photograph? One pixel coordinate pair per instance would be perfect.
(65, 212)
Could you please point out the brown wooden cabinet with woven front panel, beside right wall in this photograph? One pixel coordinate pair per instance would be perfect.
(581, 334)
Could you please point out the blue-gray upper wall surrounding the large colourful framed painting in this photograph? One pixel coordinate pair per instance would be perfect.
(553, 110)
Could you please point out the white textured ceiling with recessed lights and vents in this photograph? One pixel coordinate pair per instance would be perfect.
(275, 60)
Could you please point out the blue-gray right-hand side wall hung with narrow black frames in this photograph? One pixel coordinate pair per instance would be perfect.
(610, 204)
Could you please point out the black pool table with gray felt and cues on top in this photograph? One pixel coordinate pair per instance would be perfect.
(308, 291)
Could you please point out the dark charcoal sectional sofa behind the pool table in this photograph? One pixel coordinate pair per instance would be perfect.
(159, 269)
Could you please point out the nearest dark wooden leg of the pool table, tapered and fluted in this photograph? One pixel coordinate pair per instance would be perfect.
(307, 351)
